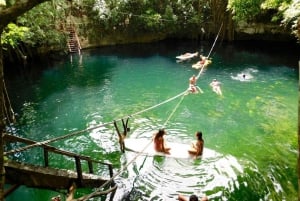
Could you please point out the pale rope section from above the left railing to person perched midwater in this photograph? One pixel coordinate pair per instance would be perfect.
(88, 129)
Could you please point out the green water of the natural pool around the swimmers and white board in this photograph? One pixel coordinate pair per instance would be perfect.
(251, 131)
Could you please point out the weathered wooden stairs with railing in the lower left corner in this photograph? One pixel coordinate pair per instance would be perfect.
(47, 176)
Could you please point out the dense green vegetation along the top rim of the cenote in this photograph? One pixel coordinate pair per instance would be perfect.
(45, 24)
